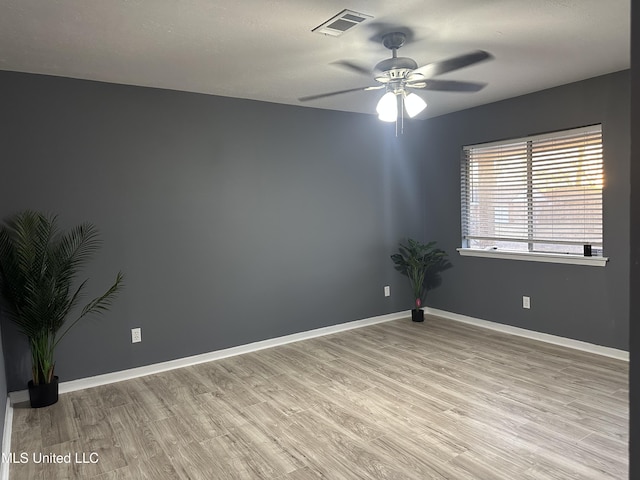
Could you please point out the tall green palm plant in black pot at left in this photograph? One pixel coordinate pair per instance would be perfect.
(39, 265)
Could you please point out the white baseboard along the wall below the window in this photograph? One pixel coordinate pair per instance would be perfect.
(521, 332)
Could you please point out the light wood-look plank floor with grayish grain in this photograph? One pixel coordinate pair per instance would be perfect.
(396, 401)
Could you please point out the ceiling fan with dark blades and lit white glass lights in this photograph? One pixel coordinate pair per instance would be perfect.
(398, 75)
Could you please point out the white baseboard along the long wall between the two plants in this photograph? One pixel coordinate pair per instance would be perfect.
(107, 378)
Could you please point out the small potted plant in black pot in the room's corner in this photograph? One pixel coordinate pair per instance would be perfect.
(422, 264)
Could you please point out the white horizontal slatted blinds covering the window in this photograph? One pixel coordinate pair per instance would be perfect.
(534, 194)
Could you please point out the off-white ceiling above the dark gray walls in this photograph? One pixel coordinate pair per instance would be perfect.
(265, 50)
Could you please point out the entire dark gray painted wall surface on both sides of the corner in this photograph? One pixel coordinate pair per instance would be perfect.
(237, 221)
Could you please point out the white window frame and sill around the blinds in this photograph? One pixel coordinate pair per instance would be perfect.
(530, 255)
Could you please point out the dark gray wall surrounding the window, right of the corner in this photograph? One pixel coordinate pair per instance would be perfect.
(580, 302)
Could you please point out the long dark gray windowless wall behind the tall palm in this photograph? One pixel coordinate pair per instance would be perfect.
(234, 221)
